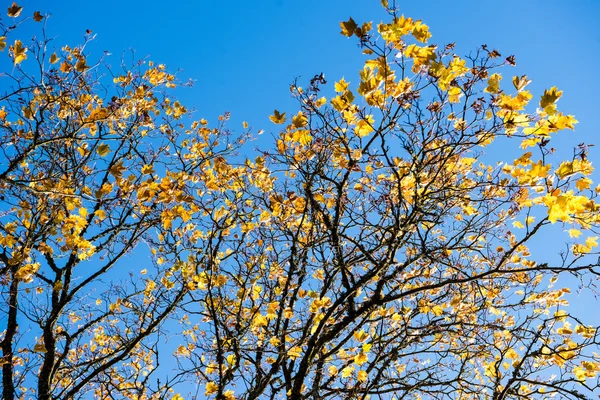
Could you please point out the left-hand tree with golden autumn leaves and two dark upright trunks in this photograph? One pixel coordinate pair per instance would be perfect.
(89, 173)
